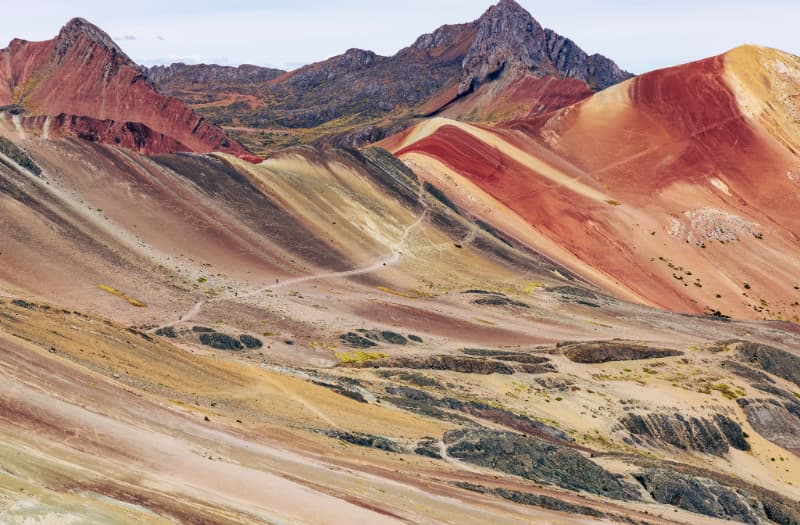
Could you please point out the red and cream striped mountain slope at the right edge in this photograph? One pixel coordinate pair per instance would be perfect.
(677, 188)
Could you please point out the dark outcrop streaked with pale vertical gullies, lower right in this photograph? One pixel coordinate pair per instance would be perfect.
(711, 436)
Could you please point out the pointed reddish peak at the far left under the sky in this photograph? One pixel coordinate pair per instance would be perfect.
(84, 74)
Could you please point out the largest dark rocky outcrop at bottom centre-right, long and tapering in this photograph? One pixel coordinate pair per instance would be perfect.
(537, 460)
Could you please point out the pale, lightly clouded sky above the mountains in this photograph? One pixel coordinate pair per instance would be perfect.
(640, 35)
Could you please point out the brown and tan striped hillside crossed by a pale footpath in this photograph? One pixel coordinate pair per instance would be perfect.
(157, 240)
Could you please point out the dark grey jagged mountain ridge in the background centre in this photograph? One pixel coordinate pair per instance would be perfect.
(360, 97)
